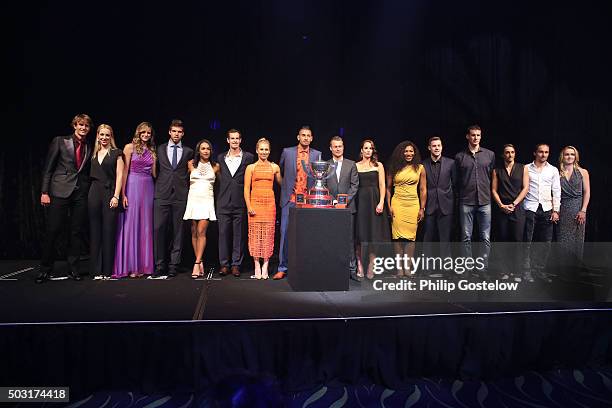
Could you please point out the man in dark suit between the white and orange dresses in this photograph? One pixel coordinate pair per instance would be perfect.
(231, 209)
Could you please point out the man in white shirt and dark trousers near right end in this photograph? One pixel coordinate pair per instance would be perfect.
(542, 211)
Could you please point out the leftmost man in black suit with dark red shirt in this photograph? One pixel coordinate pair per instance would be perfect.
(64, 192)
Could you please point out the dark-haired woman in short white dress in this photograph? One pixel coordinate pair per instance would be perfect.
(200, 201)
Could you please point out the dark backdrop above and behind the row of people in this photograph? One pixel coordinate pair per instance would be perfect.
(387, 70)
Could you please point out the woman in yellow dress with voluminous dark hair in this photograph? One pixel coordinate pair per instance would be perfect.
(406, 174)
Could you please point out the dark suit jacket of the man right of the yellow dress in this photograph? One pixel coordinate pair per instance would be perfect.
(440, 194)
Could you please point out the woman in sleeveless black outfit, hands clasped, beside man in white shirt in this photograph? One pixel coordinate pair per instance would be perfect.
(509, 186)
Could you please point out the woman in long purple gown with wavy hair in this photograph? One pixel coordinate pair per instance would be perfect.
(134, 254)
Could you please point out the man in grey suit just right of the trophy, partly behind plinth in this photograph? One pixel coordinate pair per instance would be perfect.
(345, 181)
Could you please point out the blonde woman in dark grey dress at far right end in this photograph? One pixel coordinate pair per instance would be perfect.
(575, 196)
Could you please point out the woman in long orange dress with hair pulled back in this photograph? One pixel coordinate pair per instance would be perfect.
(261, 206)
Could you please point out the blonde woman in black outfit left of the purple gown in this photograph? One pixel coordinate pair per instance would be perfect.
(103, 201)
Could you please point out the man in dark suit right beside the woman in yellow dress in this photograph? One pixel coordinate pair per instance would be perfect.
(441, 177)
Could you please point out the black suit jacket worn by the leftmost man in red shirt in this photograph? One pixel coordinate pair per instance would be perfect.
(60, 175)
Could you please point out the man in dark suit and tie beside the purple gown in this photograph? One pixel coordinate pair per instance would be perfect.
(171, 188)
